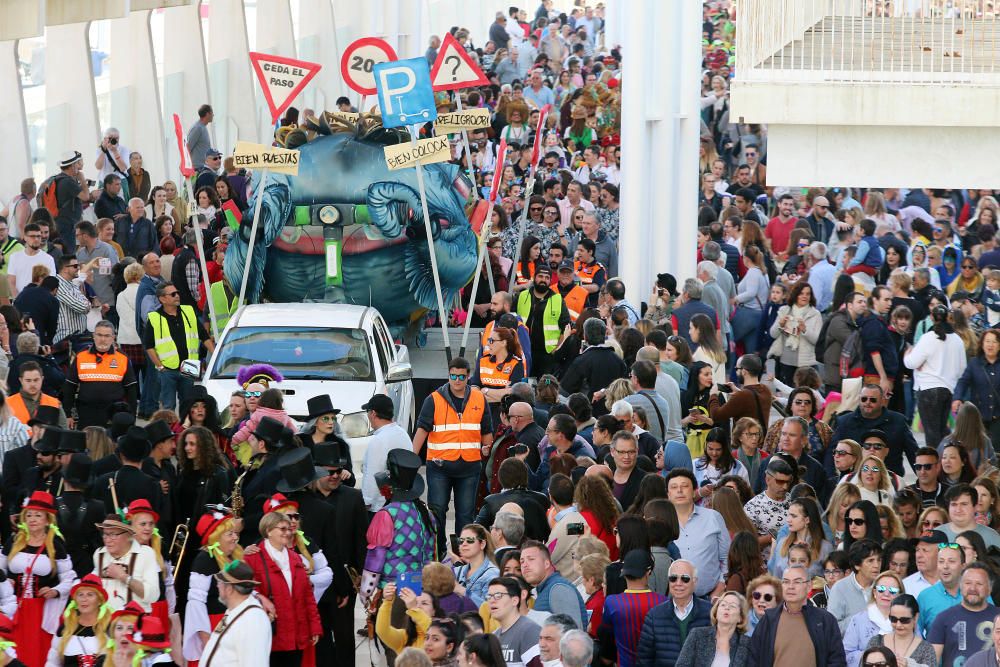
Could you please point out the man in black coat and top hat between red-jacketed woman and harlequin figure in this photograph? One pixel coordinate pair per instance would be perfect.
(350, 523)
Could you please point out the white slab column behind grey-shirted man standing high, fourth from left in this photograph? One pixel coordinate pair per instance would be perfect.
(185, 76)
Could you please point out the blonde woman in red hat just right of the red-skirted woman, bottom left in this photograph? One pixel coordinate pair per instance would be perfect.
(84, 632)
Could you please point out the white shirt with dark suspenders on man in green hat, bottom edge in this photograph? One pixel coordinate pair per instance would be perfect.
(246, 643)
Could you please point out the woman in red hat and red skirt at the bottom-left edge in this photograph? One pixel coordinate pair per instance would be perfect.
(35, 559)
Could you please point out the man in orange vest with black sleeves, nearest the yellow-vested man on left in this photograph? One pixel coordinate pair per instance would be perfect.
(99, 377)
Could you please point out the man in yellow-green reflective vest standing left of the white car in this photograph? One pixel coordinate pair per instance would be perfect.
(172, 336)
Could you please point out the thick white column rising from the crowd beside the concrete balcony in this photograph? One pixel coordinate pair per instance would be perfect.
(660, 128)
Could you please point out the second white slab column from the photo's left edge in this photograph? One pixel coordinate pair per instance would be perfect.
(71, 120)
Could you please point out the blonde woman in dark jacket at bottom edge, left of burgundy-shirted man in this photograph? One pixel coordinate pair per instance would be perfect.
(726, 641)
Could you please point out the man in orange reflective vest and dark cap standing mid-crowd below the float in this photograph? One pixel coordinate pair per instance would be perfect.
(455, 423)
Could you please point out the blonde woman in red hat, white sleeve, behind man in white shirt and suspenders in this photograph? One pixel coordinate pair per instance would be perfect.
(219, 546)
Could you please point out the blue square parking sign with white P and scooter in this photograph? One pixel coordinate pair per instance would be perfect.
(405, 95)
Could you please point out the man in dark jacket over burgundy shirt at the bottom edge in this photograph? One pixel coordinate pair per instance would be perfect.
(825, 639)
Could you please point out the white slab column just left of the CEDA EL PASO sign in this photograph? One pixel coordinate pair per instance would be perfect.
(230, 76)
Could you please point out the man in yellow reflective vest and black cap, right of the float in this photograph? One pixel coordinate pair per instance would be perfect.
(545, 315)
